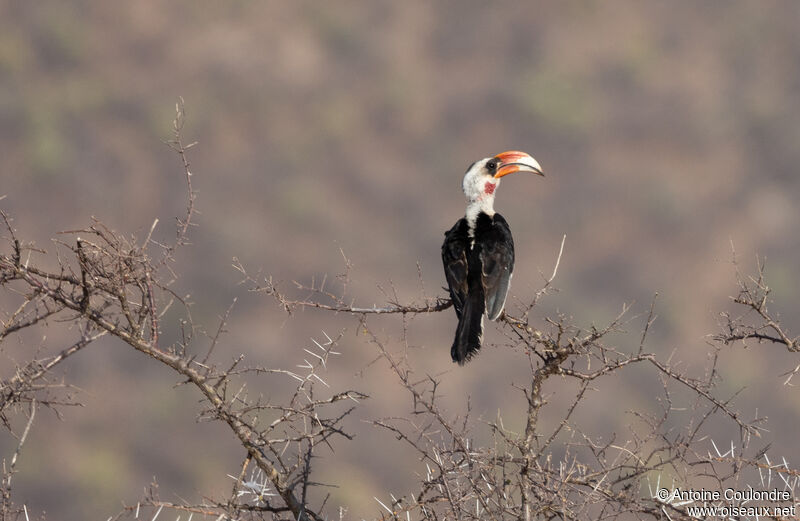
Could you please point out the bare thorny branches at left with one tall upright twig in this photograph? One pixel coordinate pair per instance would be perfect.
(114, 287)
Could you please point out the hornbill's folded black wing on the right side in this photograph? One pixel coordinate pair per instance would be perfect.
(497, 262)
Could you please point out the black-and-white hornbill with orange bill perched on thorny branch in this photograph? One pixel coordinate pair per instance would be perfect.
(478, 251)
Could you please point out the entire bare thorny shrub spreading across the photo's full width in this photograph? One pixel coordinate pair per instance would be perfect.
(106, 284)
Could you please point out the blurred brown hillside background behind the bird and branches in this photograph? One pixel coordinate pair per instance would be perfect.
(667, 131)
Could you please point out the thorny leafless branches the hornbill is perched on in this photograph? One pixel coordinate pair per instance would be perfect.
(560, 472)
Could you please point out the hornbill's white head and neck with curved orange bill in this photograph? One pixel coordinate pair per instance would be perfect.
(483, 177)
